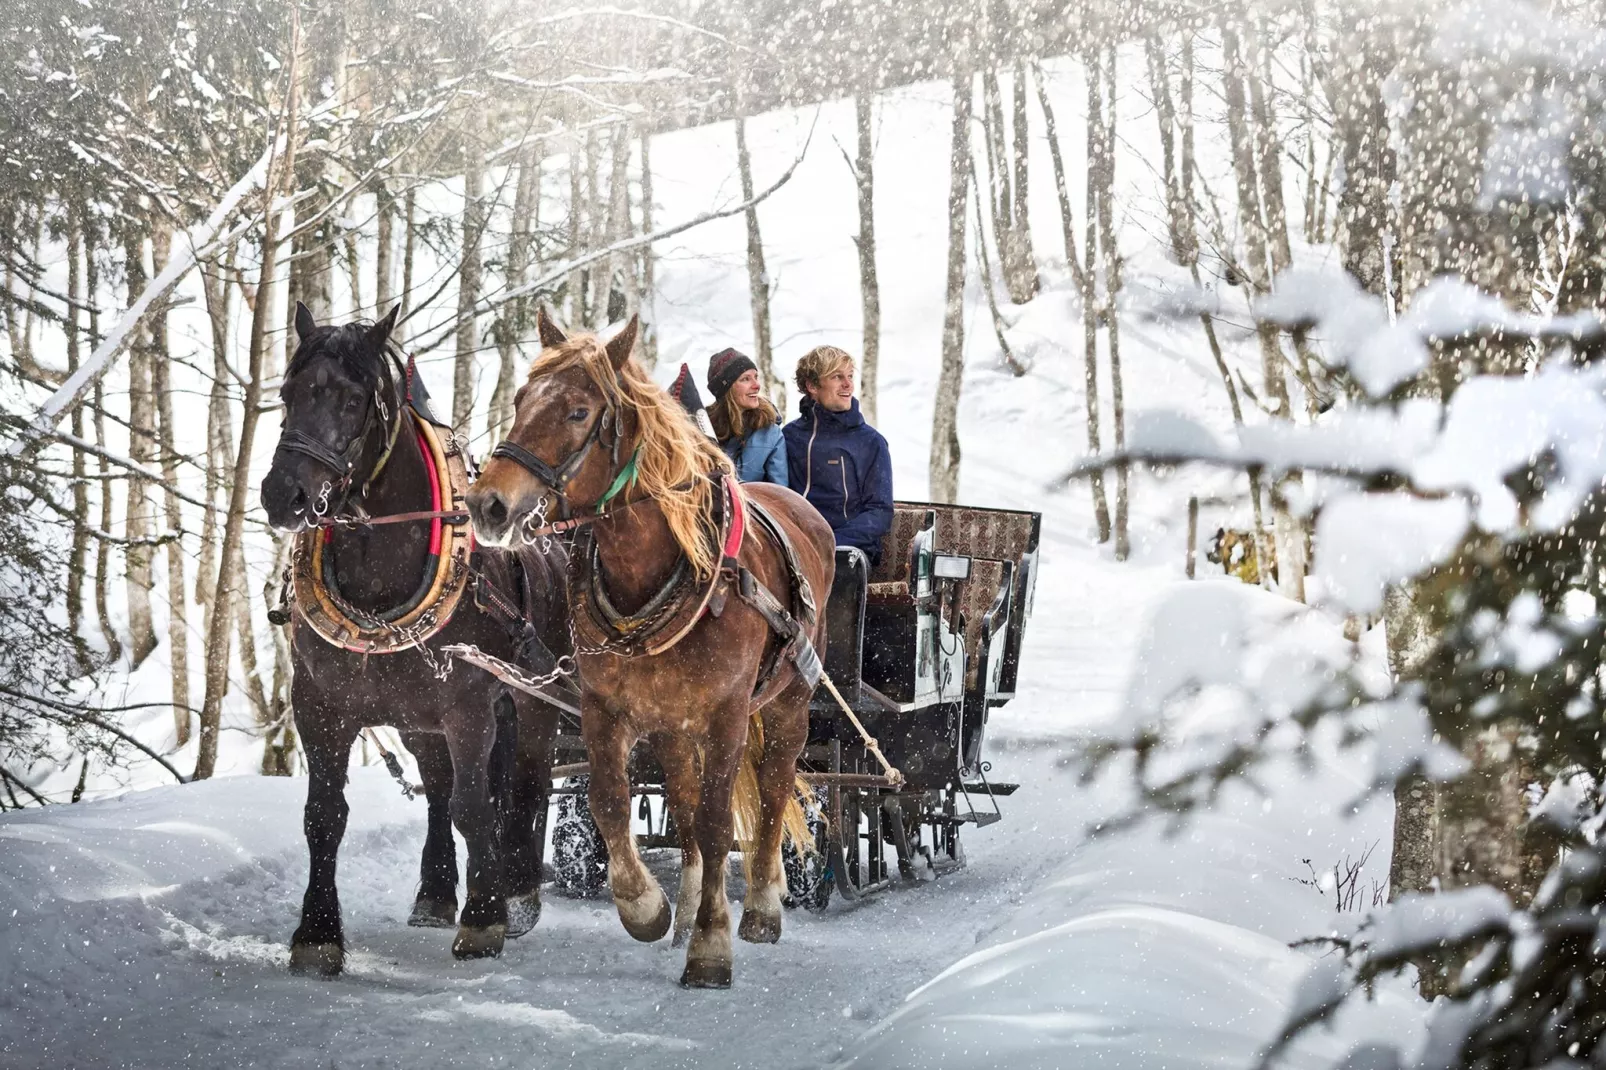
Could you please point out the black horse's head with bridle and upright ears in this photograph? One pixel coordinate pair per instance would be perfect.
(341, 409)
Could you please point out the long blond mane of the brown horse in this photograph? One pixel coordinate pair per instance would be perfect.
(675, 457)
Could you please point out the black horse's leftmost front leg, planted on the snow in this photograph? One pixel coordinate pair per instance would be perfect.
(319, 944)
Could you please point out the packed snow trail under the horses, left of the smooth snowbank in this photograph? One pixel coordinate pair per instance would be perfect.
(152, 931)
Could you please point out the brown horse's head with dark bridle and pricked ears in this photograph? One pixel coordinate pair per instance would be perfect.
(569, 438)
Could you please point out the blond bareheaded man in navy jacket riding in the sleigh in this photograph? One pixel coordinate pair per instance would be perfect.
(834, 459)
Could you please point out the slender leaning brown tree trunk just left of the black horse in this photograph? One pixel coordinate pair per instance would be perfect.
(218, 632)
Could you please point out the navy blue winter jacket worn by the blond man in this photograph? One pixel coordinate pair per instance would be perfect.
(842, 467)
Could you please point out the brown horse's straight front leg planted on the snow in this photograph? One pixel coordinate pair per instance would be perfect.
(709, 954)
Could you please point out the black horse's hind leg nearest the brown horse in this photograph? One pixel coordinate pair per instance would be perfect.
(524, 819)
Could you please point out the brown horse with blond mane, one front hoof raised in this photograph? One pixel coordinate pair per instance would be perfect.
(595, 435)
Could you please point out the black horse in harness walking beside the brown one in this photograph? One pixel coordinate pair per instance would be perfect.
(344, 407)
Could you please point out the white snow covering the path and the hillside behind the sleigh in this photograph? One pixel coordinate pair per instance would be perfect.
(152, 929)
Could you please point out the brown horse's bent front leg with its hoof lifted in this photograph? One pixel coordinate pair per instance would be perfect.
(642, 905)
